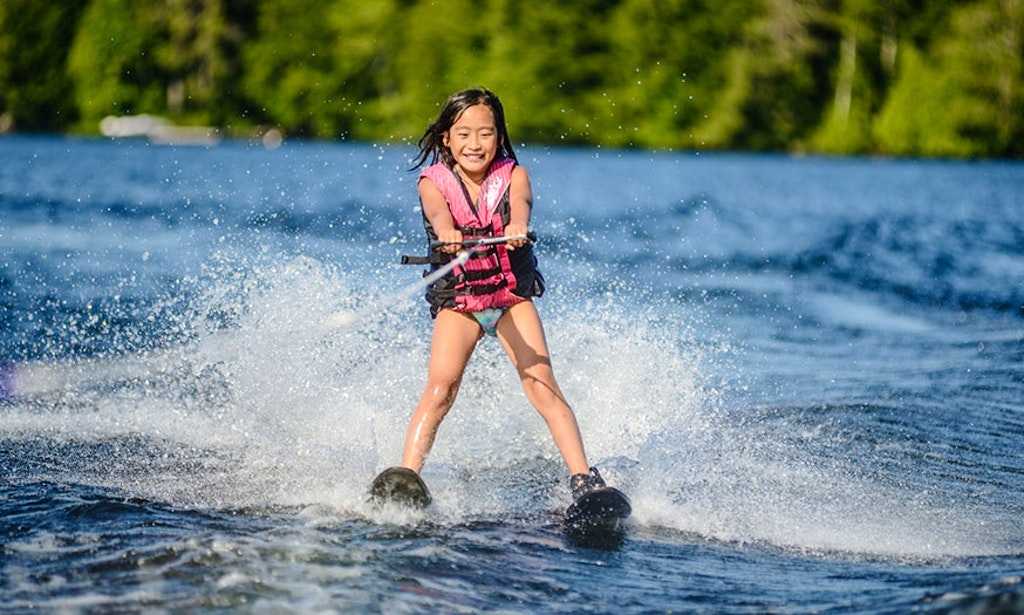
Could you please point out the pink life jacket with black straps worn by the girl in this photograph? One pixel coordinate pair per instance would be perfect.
(486, 281)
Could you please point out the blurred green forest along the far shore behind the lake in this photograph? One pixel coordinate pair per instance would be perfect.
(934, 78)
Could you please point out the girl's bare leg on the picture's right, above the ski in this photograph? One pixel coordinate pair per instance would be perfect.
(522, 334)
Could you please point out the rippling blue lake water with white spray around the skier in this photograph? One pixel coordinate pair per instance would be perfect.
(808, 374)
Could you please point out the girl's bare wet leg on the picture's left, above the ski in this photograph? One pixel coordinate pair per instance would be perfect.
(455, 337)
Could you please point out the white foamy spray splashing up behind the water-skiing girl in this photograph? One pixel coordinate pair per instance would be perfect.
(260, 405)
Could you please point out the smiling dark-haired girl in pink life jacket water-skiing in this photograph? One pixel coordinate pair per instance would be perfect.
(475, 188)
